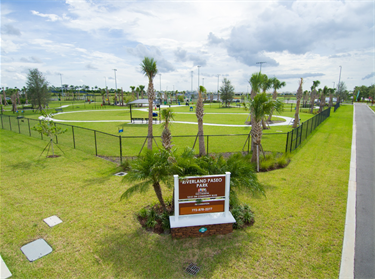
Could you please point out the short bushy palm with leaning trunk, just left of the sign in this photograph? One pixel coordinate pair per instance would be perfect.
(150, 169)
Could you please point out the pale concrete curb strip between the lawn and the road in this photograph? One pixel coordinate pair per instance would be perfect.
(347, 256)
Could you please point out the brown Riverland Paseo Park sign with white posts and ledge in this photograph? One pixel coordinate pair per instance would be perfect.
(199, 201)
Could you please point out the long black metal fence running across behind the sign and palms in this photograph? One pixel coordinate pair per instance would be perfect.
(116, 147)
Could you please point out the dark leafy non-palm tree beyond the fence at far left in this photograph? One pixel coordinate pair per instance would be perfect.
(37, 89)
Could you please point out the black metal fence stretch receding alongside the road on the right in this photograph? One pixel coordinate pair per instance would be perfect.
(299, 134)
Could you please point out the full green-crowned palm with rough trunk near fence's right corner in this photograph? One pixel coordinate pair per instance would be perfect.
(260, 106)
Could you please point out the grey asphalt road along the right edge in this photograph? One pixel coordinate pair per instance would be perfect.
(364, 259)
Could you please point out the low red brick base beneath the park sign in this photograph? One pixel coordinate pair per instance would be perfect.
(185, 232)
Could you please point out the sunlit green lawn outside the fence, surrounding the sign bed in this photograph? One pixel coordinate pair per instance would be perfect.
(297, 234)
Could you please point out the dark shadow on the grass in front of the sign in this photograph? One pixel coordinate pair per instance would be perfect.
(146, 255)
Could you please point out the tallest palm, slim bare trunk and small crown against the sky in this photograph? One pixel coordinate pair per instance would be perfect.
(150, 70)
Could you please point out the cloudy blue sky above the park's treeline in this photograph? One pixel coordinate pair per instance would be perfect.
(85, 40)
